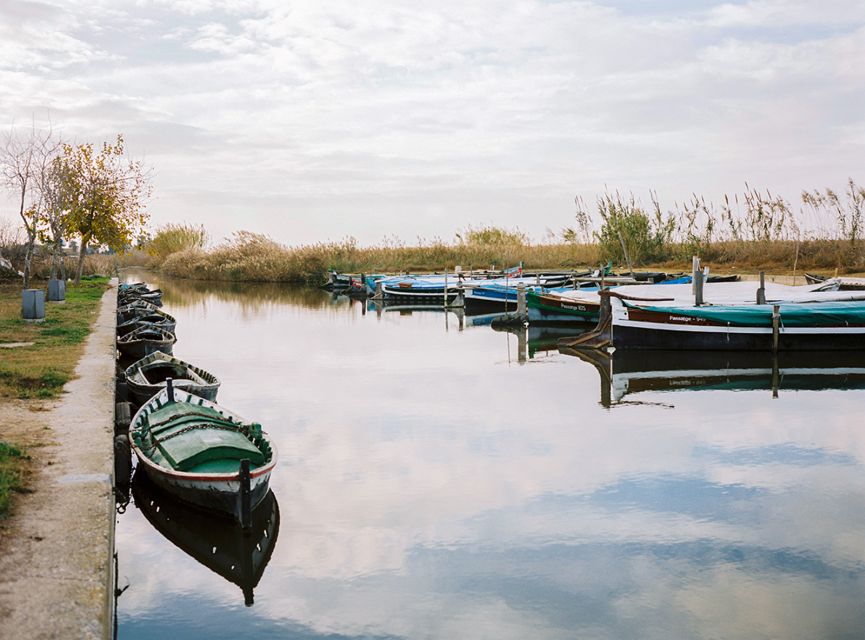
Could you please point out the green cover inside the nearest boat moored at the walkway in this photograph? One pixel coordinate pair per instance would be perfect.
(188, 436)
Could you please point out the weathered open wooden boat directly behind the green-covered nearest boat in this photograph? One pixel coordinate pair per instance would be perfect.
(146, 377)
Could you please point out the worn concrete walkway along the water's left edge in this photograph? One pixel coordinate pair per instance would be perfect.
(56, 579)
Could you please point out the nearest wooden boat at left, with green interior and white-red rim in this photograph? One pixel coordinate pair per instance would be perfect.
(195, 449)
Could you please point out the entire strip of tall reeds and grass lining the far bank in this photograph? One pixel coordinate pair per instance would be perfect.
(752, 230)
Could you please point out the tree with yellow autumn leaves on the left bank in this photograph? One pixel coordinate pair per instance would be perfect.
(105, 194)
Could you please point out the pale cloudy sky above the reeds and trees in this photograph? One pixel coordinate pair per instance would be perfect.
(314, 121)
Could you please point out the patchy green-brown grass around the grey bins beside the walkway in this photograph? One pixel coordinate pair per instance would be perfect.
(40, 369)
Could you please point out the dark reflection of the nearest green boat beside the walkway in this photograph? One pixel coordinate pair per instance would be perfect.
(240, 556)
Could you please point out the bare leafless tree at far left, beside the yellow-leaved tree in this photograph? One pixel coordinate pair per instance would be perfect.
(22, 157)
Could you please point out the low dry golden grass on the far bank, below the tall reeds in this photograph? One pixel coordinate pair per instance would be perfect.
(255, 258)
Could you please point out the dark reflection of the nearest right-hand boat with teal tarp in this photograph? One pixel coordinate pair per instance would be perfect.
(628, 372)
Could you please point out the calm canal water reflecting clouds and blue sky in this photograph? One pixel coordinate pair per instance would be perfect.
(445, 483)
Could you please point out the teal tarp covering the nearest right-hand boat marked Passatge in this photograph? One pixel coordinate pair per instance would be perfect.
(822, 314)
